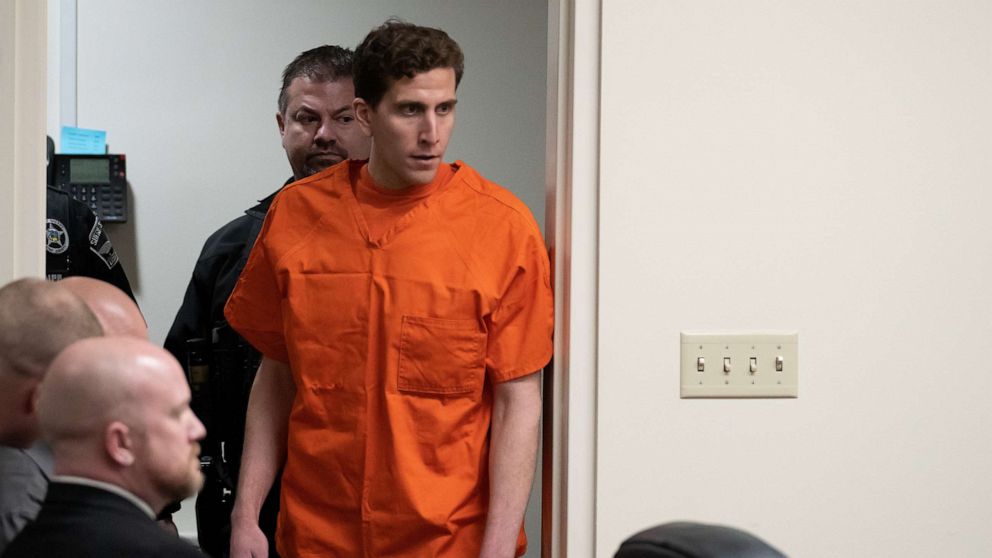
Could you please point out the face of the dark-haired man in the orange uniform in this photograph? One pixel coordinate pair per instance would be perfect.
(410, 128)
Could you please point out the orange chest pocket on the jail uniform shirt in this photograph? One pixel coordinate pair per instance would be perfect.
(441, 356)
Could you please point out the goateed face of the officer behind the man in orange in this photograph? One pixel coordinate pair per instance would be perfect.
(319, 129)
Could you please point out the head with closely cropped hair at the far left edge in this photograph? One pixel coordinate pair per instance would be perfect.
(37, 320)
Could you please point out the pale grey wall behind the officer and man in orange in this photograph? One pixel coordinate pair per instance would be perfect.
(187, 90)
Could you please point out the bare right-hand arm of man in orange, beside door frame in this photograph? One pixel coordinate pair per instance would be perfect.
(512, 455)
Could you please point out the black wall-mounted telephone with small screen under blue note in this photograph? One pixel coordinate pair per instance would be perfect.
(99, 181)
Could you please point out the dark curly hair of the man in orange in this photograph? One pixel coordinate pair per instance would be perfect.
(397, 49)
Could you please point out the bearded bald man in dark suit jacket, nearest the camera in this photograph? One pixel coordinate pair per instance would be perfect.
(116, 413)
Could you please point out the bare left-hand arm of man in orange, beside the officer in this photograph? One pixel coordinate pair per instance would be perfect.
(266, 429)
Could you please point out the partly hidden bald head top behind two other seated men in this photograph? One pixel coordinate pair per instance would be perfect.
(118, 314)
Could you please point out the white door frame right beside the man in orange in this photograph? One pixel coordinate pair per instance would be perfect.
(572, 230)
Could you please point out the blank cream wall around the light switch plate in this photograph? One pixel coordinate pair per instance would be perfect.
(818, 166)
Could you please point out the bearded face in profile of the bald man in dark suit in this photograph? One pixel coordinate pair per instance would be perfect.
(170, 454)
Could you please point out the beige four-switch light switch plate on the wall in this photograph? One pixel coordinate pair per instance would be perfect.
(715, 348)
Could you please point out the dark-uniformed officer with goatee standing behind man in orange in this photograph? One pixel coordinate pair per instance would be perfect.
(316, 122)
